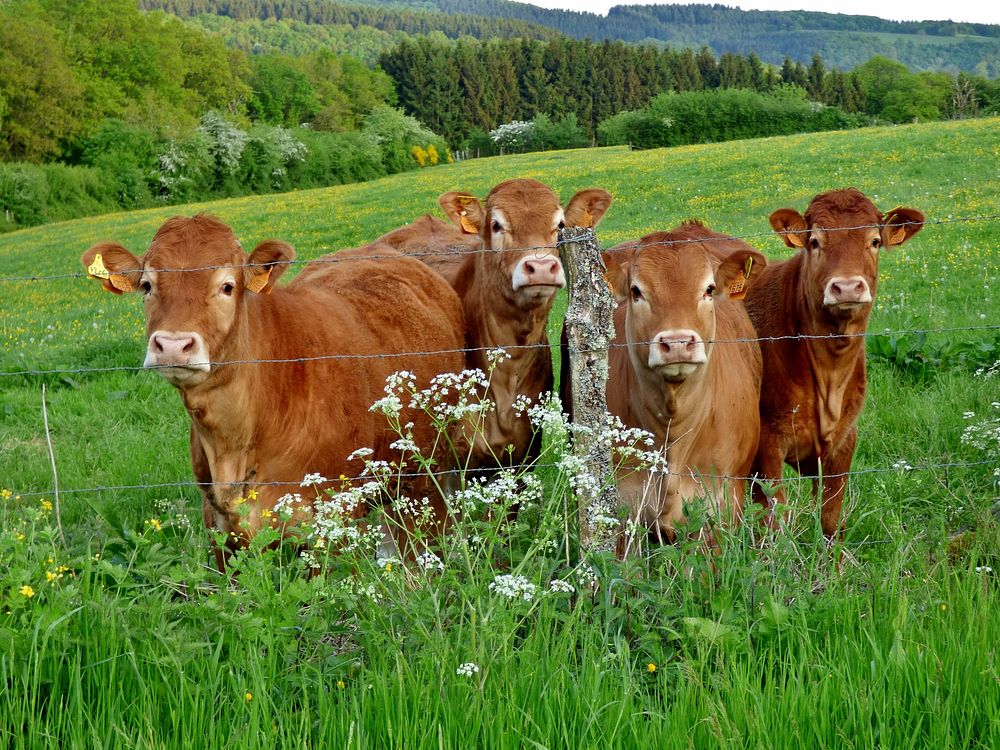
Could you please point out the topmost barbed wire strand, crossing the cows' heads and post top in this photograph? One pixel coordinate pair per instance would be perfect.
(457, 250)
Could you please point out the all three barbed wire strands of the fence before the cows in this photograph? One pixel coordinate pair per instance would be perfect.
(901, 466)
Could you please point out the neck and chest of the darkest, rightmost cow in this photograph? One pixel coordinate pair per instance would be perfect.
(832, 362)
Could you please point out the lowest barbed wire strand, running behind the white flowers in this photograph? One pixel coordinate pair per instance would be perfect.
(902, 467)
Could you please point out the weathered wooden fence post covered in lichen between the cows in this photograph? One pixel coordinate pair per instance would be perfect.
(589, 331)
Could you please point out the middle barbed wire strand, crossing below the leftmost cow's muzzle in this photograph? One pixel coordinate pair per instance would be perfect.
(519, 347)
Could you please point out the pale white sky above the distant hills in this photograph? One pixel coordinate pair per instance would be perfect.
(975, 11)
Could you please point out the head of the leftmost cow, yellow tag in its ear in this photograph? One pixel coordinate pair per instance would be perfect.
(192, 280)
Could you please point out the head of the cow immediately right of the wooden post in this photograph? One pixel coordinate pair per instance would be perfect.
(669, 283)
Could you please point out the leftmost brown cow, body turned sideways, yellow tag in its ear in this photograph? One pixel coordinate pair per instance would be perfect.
(213, 313)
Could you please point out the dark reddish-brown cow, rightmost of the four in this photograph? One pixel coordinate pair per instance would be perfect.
(815, 386)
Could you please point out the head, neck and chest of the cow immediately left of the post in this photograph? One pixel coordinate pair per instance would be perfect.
(507, 291)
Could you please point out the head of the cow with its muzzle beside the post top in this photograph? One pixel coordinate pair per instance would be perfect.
(519, 227)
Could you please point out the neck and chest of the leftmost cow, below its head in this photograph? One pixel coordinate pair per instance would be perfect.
(221, 411)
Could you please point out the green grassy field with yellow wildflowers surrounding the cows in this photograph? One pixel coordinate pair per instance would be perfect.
(120, 635)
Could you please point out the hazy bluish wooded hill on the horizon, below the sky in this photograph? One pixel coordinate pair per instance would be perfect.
(843, 41)
